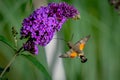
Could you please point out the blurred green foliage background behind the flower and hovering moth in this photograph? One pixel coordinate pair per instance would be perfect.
(98, 18)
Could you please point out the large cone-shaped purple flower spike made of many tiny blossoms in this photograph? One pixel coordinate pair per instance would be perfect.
(41, 25)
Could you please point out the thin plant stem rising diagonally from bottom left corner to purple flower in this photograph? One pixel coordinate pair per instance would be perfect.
(11, 61)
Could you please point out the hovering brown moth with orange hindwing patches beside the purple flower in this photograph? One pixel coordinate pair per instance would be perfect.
(76, 50)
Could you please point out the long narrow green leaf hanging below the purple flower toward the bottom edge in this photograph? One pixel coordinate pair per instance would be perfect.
(37, 64)
